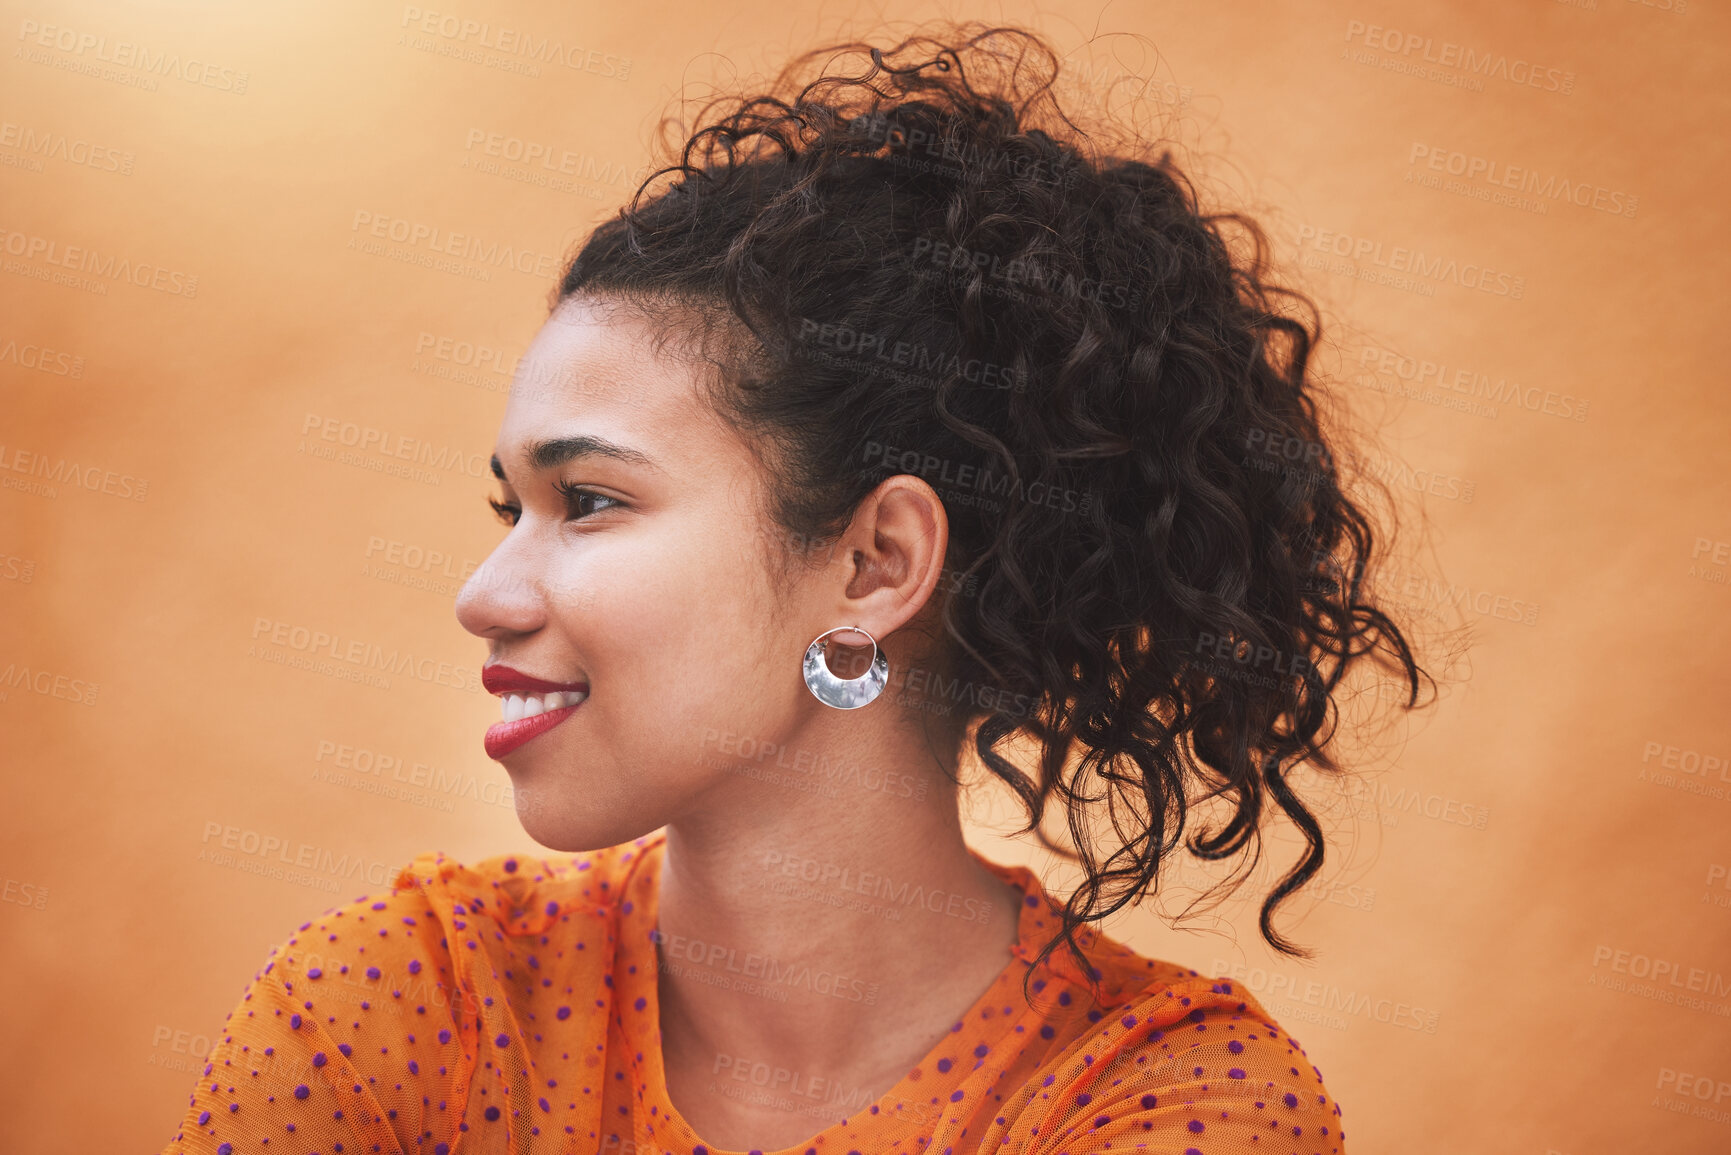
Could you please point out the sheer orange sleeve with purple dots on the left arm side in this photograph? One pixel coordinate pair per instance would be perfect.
(345, 1042)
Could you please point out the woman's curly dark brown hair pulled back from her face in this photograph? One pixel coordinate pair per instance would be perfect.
(941, 274)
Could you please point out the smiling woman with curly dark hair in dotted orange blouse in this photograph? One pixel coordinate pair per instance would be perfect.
(896, 423)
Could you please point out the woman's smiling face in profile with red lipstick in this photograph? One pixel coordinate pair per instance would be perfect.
(638, 567)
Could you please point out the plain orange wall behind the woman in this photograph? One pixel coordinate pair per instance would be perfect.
(1524, 941)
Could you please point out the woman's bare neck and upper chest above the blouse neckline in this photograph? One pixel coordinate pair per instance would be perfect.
(851, 927)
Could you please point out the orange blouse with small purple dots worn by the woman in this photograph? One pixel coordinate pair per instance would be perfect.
(512, 1007)
